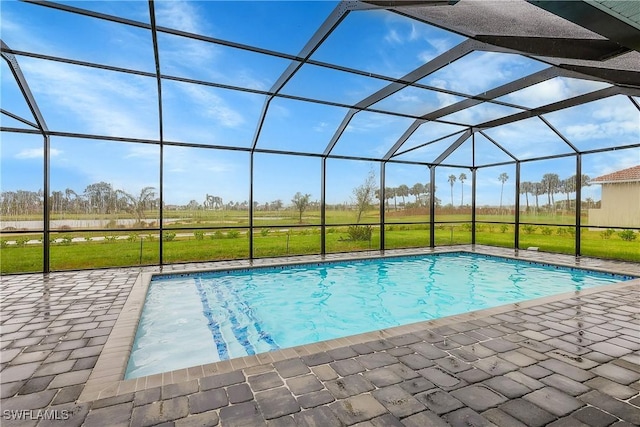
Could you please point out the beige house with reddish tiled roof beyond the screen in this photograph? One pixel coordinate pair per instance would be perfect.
(620, 203)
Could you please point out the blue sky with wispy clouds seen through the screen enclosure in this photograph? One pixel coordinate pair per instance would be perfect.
(86, 100)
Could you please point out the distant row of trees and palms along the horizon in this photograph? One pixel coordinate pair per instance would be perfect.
(103, 198)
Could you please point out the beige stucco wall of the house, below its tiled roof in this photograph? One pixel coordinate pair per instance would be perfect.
(620, 206)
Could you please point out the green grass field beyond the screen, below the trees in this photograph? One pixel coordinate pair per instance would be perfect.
(281, 239)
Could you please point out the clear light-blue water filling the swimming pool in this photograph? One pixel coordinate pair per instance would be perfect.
(202, 318)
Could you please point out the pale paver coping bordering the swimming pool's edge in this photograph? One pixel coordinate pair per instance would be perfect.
(107, 377)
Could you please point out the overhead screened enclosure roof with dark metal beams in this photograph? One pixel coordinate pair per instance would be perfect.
(414, 82)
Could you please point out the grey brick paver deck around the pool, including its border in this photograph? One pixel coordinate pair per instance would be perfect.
(570, 360)
